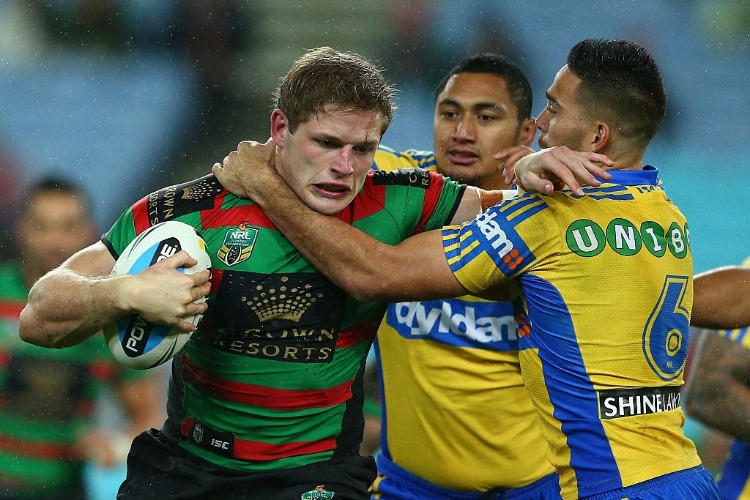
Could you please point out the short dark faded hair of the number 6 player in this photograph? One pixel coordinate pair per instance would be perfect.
(621, 84)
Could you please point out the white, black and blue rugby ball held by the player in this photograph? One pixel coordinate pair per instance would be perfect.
(133, 341)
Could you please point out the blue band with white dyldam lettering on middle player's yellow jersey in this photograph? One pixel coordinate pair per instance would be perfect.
(457, 322)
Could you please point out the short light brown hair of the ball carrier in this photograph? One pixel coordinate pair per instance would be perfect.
(323, 77)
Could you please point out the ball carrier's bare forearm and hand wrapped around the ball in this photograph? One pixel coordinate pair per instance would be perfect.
(79, 298)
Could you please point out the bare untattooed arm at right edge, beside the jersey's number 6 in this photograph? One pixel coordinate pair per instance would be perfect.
(721, 298)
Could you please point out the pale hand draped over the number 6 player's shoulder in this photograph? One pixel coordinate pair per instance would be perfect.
(555, 167)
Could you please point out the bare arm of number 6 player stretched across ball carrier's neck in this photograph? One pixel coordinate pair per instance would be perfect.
(366, 268)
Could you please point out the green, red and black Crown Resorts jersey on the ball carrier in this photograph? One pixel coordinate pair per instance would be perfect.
(272, 377)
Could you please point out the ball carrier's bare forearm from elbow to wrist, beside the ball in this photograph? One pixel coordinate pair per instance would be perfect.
(65, 308)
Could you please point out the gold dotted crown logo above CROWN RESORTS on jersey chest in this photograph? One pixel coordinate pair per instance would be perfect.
(282, 302)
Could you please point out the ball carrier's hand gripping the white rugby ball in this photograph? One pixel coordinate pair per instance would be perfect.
(162, 294)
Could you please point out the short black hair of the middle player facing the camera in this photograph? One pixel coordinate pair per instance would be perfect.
(518, 84)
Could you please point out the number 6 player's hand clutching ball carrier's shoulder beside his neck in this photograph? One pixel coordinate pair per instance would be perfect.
(247, 171)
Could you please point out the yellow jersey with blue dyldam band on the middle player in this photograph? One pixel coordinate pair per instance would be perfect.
(452, 387)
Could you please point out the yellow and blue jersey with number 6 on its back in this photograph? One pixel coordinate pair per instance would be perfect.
(607, 292)
